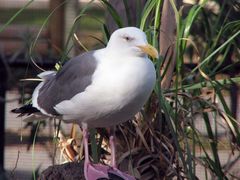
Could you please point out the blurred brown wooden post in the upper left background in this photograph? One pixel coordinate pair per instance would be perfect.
(56, 26)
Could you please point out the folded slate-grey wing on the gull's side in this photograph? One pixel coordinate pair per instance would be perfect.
(72, 79)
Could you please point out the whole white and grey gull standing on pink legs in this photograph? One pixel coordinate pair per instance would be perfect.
(100, 88)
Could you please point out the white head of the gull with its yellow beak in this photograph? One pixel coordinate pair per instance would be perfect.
(131, 41)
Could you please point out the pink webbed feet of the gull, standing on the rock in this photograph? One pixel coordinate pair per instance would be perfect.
(101, 172)
